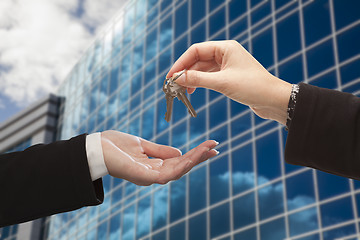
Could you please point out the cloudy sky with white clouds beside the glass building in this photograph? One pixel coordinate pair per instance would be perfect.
(41, 41)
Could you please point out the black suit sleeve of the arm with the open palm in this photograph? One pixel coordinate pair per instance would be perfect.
(46, 179)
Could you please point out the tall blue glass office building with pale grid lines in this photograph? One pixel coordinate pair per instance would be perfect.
(247, 191)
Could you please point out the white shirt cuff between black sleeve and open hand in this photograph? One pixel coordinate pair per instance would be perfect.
(95, 156)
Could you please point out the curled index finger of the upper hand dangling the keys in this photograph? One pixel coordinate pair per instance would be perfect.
(204, 51)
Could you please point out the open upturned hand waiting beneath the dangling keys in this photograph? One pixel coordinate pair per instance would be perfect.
(127, 156)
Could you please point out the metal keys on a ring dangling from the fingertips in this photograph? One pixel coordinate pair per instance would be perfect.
(173, 90)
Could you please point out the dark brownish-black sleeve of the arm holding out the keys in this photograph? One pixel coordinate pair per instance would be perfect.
(325, 132)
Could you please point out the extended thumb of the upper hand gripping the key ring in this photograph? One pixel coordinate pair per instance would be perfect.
(194, 79)
